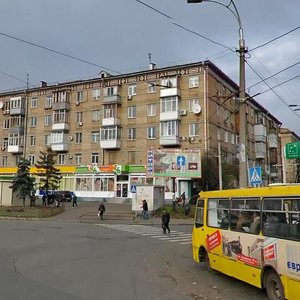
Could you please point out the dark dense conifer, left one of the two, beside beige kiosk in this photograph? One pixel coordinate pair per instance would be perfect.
(23, 183)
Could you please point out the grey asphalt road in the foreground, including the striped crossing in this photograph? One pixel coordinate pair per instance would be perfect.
(72, 260)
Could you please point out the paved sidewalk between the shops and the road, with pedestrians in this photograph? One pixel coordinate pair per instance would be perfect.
(115, 213)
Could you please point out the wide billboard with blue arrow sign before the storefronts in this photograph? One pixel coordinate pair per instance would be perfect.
(173, 163)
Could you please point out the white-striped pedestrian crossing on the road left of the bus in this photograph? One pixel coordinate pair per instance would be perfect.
(153, 232)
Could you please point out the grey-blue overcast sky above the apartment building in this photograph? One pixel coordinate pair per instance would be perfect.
(117, 35)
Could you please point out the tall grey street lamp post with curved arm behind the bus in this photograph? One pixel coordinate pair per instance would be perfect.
(242, 50)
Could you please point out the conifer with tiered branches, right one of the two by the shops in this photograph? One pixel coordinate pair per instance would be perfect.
(50, 176)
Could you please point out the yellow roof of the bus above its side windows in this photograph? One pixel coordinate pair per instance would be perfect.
(274, 190)
